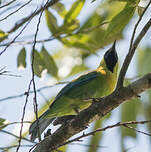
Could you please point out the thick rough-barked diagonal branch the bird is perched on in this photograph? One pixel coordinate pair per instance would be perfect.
(94, 112)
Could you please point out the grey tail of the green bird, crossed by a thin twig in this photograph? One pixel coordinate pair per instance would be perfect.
(43, 124)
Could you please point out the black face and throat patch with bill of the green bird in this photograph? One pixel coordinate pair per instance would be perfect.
(111, 58)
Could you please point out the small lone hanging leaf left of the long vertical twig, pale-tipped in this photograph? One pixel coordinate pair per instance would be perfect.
(21, 59)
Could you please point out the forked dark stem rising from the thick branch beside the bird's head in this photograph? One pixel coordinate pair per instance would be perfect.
(133, 47)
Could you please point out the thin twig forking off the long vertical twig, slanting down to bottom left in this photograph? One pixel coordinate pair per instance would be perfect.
(22, 119)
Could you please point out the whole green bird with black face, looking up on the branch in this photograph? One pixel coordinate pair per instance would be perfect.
(78, 94)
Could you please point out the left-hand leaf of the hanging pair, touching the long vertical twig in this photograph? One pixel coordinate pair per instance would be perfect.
(39, 65)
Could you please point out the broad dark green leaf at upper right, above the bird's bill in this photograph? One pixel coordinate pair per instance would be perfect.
(119, 21)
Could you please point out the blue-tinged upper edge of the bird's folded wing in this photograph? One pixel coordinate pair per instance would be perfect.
(81, 81)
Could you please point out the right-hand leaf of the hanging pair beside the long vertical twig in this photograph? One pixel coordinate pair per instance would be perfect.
(49, 62)
